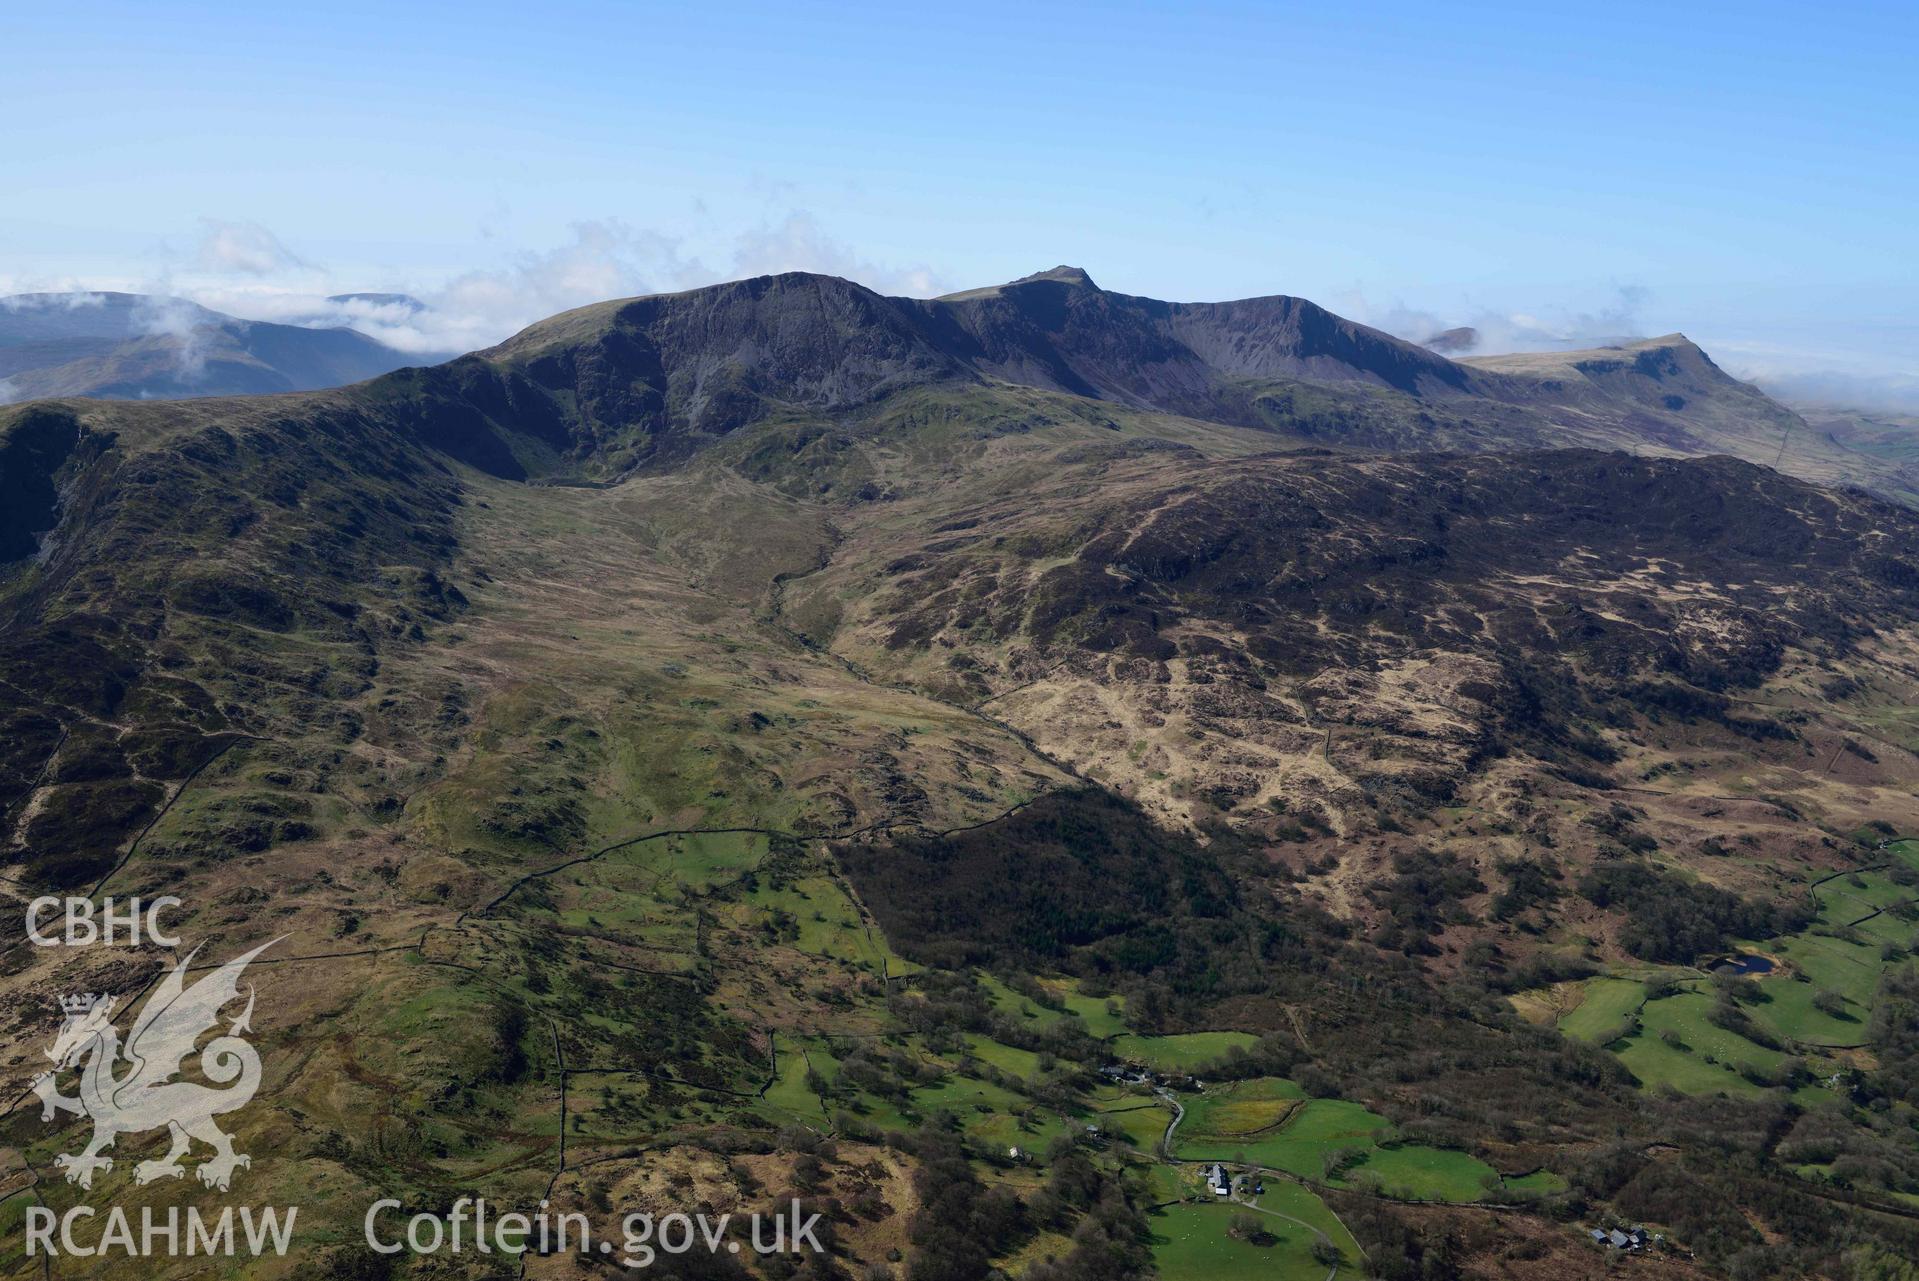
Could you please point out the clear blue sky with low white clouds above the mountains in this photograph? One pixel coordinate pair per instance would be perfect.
(1743, 174)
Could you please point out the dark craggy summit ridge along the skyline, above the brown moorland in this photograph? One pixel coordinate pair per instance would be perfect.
(657, 379)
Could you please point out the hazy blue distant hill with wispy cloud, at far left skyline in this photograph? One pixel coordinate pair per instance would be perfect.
(137, 346)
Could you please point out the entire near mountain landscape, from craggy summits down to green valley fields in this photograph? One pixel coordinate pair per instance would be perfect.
(788, 741)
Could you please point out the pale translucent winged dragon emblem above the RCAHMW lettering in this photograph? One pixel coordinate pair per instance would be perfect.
(135, 1088)
